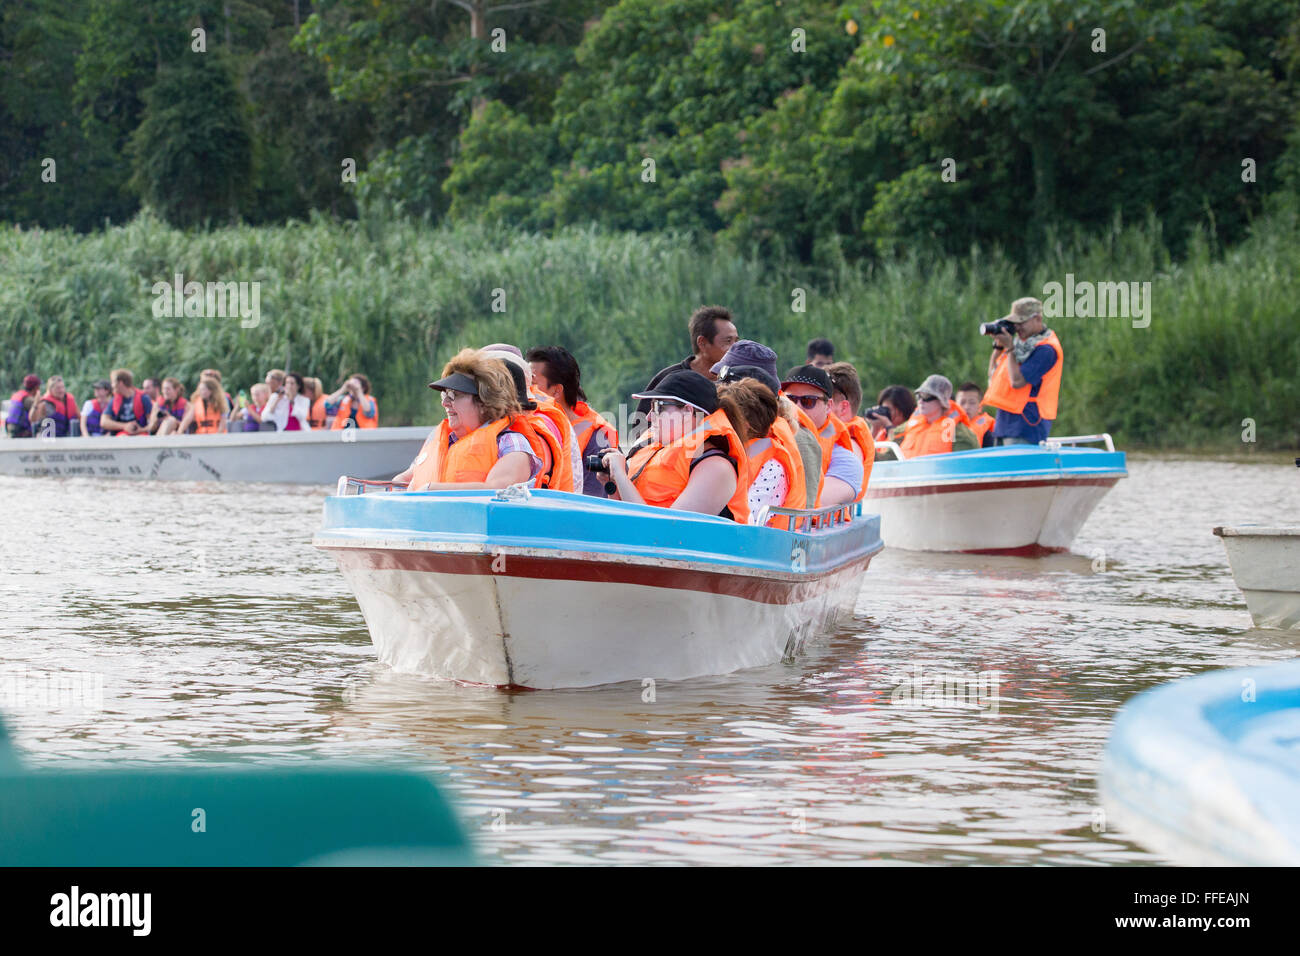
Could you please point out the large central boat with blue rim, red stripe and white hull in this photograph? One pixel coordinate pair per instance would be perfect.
(548, 590)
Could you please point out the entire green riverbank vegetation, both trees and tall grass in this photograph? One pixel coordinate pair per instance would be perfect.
(612, 165)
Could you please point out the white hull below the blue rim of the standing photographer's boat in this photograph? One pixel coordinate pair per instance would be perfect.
(1029, 518)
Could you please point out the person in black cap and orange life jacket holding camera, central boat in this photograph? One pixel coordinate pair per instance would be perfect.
(696, 455)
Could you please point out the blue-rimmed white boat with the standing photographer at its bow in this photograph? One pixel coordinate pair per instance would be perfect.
(1024, 500)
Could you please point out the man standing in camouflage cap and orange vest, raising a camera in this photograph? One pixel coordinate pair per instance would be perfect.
(1024, 375)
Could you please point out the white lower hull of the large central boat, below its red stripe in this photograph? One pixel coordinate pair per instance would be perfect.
(548, 633)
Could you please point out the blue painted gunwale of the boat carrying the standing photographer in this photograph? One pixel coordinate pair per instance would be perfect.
(1006, 464)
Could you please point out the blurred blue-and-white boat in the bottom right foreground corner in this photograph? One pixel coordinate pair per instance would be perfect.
(1207, 772)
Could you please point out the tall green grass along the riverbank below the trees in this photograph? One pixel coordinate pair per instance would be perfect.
(396, 300)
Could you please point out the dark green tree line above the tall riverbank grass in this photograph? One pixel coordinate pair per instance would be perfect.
(820, 132)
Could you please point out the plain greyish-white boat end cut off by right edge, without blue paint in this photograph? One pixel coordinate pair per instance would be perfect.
(1267, 568)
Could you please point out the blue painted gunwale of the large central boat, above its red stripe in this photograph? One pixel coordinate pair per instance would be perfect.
(566, 524)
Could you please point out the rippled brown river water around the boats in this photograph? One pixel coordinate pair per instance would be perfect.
(202, 624)
